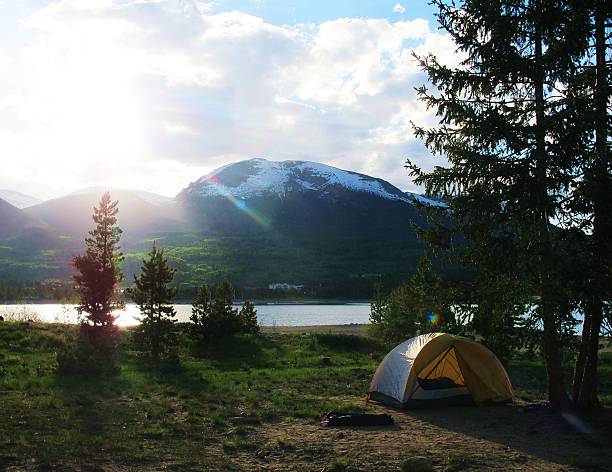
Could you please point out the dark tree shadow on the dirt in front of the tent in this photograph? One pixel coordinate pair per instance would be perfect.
(541, 433)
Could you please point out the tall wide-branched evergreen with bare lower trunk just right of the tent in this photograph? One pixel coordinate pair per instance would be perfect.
(502, 118)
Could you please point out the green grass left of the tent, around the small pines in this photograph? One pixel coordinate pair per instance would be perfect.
(145, 415)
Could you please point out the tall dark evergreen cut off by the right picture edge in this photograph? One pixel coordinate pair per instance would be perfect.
(593, 191)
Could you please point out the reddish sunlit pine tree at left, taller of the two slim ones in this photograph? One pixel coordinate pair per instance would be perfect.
(98, 274)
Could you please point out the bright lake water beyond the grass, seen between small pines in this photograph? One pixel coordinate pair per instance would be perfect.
(267, 314)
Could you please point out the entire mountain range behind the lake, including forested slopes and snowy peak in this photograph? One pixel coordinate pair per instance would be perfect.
(258, 221)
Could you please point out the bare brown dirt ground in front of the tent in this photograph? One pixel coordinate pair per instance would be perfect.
(507, 438)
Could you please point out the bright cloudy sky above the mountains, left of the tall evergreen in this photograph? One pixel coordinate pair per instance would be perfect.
(153, 94)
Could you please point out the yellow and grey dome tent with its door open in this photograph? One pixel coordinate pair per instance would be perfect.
(440, 369)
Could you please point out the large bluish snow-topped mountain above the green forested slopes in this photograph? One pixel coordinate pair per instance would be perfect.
(297, 200)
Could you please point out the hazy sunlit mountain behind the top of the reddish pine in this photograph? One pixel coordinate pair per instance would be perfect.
(140, 213)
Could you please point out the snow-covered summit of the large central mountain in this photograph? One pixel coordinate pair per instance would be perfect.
(258, 177)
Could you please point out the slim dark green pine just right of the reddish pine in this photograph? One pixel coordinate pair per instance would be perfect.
(153, 295)
